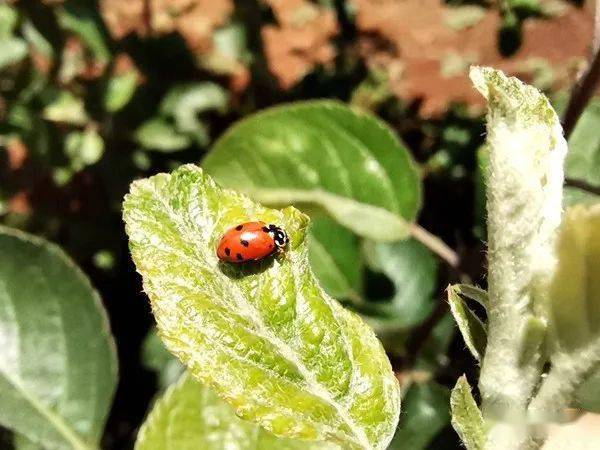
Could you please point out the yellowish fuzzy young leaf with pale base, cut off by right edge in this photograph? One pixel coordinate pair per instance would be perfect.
(574, 318)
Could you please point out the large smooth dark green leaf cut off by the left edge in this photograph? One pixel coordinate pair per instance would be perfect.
(58, 367)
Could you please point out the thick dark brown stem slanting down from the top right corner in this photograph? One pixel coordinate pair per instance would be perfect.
(584, 88)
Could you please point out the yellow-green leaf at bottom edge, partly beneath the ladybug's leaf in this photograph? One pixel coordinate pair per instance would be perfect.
(191, 416)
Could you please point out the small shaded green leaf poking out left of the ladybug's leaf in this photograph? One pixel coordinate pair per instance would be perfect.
(158, 359)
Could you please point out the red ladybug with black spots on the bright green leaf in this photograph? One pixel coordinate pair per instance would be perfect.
(251, 241)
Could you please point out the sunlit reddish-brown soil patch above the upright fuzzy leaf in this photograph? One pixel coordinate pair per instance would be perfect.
(428, 60)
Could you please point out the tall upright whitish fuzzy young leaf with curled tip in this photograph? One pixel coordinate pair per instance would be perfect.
(524, 206)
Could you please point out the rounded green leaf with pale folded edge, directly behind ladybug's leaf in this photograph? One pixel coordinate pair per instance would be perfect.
(323, 153)
